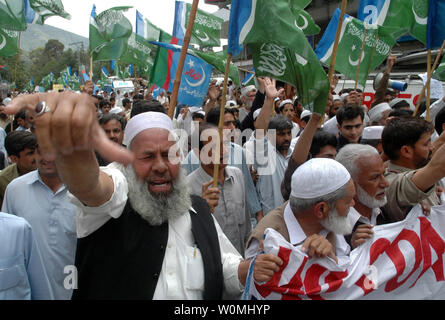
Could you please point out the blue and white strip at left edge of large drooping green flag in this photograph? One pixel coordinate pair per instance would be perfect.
(240, 15)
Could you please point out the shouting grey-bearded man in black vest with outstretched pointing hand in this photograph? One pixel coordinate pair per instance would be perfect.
(141, 234)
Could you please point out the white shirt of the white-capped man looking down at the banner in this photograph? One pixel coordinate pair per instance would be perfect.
(297, 236)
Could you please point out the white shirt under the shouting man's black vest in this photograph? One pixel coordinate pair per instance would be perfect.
(179, 278)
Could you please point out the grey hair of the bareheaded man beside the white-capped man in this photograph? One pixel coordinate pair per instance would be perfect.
(350, 153)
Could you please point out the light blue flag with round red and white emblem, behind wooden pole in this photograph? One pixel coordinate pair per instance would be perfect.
(195, 78)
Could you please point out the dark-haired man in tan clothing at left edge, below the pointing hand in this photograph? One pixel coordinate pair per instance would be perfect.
(21, 147)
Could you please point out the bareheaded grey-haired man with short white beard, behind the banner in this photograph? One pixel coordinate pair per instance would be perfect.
(367, 169)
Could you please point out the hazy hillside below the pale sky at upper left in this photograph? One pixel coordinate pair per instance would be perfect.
(37, 35)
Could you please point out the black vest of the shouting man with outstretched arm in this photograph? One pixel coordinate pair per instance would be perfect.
(123, 258)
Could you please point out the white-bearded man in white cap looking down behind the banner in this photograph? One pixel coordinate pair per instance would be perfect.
(321, 197)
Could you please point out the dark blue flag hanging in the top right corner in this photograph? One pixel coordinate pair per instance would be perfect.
(436, 24)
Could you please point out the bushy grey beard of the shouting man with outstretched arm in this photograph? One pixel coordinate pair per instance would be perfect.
(157, 209)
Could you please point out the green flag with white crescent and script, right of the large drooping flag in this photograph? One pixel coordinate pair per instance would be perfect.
(378, 43)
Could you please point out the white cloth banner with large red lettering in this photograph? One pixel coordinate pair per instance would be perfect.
(403, 260)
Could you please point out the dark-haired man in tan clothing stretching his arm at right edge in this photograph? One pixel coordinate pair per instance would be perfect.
(414, 167)
